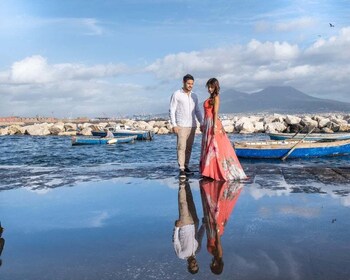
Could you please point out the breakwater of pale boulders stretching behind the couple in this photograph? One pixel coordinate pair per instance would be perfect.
(269, 123)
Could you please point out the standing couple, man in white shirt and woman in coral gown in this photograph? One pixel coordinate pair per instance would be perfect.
(218, 159)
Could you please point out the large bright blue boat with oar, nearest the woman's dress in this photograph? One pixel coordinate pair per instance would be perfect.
(291, 148)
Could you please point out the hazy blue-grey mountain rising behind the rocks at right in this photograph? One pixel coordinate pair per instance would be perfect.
(275, 99)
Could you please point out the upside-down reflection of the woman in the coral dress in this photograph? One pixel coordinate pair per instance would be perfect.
(218, 199)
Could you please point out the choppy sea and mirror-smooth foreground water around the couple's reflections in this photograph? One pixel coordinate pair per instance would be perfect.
(108, 212)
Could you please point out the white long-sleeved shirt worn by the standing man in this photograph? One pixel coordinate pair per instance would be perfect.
(184, 109)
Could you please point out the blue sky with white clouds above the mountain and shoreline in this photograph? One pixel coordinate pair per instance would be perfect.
(111, 58)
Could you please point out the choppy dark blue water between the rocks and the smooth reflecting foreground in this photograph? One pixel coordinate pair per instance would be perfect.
(49, 162)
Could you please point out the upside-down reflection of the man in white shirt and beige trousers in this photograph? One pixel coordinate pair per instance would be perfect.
(186, 237)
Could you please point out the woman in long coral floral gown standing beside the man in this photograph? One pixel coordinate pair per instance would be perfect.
(218, 158)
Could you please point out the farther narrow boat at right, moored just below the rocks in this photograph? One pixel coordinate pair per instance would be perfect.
(310, 137)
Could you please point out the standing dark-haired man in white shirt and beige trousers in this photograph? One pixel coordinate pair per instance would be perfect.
(184, 110)
